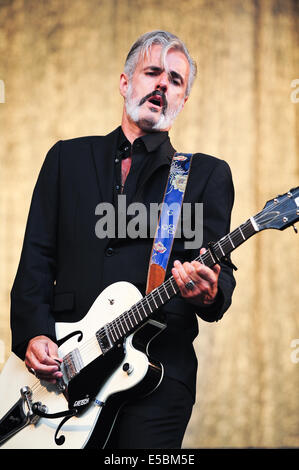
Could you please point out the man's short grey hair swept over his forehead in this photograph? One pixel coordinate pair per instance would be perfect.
(167, 41)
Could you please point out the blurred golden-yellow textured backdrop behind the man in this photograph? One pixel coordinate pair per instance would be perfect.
(60, 61)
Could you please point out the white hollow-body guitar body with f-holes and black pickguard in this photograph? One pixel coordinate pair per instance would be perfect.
(105, 383)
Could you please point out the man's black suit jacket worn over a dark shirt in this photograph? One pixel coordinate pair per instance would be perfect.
(64, 266)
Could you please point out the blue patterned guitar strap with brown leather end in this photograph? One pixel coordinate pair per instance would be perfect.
(168, 219)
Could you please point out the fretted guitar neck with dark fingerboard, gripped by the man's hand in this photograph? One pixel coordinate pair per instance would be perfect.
(128, 321)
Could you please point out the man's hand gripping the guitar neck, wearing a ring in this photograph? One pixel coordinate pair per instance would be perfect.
(202, 281)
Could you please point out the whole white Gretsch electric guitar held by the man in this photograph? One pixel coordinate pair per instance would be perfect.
(105, 356)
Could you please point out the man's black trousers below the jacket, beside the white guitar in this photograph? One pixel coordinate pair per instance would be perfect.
(158, 421)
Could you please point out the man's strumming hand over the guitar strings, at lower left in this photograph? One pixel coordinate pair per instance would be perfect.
(42, 357)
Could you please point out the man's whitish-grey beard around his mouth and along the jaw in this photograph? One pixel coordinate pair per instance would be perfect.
(167, 114)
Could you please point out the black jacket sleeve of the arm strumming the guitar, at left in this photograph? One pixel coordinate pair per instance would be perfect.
(32, 291)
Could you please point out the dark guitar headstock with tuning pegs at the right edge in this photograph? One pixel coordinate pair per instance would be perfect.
(280, 212)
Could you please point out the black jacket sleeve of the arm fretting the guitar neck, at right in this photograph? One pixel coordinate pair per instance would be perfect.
(218, 199)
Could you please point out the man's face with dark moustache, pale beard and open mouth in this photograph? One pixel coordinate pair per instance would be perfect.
(156, 93)
